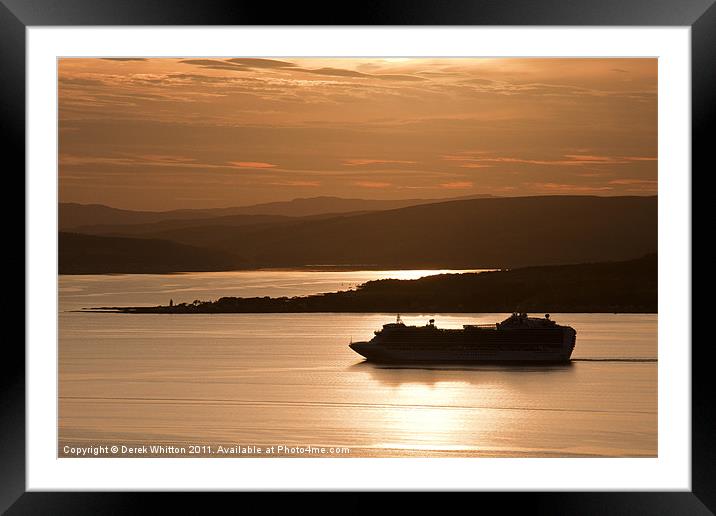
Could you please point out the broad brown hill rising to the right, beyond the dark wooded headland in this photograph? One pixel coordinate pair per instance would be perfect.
(482, 233)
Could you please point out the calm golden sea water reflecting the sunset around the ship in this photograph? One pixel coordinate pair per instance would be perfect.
(248, 381)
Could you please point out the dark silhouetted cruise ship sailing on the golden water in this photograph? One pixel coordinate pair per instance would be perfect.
(518, 338)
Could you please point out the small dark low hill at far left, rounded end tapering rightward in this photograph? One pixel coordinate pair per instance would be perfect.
(87, 254)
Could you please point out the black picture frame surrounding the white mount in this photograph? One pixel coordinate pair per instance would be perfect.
(17, 15)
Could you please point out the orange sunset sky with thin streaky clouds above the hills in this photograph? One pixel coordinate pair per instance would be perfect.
(160, 134)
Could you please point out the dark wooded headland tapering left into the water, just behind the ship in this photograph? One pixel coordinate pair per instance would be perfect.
(628, 286)
